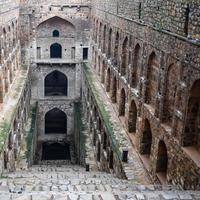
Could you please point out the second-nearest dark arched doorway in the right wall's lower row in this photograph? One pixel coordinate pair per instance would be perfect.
(146, 140)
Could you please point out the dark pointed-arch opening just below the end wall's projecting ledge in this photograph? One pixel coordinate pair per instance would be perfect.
(56, 84)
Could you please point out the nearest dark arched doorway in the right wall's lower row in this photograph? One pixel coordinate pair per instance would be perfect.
(162, 160)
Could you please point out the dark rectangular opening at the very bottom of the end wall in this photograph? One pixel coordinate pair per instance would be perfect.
(56, 151)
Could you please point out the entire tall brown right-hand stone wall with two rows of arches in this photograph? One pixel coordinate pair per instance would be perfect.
(148, 59)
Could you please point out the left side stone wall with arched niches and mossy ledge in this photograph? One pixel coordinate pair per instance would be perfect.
(14, 89)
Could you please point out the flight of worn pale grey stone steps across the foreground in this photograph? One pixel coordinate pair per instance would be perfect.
(70, 182)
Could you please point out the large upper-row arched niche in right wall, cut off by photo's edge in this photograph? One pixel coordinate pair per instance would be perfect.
(192, 125)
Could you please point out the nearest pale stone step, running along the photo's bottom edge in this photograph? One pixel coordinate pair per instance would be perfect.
(101, 196)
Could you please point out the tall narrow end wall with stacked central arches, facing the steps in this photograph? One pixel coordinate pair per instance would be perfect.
(43, 27)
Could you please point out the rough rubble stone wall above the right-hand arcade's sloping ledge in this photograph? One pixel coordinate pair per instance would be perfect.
(168, 15)
